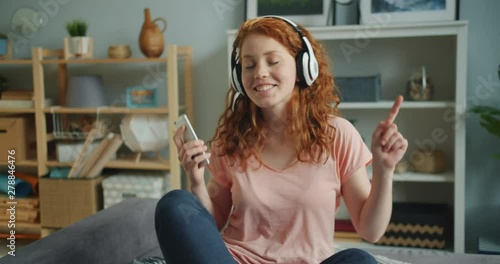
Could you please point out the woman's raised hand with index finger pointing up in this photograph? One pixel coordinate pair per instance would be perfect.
(388, 144)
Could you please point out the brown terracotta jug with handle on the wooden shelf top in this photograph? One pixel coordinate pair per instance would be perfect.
(151, 39)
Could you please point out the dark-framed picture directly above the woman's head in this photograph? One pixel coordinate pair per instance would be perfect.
(314, 13)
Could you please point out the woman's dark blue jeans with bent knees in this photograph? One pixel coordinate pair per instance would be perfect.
(187, 233)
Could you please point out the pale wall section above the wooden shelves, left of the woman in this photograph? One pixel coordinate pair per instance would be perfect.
(199, 23)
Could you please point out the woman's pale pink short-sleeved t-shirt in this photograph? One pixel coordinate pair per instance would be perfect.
(289, 216)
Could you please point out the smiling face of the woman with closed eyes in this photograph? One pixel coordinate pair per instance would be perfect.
(268, 71)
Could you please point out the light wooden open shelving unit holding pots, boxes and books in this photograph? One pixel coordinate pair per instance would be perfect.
(44, 159)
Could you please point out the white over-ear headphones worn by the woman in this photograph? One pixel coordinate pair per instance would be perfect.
(307, 65)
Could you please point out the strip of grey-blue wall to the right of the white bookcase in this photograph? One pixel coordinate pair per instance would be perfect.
(482, 171)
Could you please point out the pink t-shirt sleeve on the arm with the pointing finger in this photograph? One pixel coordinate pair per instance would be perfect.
(350, 152)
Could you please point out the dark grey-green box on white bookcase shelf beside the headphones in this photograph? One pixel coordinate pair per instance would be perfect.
(359, 89)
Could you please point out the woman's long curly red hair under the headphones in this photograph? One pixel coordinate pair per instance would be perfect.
(241, 129)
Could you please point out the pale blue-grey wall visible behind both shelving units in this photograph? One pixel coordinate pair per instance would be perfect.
(202, 24)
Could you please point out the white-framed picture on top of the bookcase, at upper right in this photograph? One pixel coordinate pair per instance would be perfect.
(381, 12)
